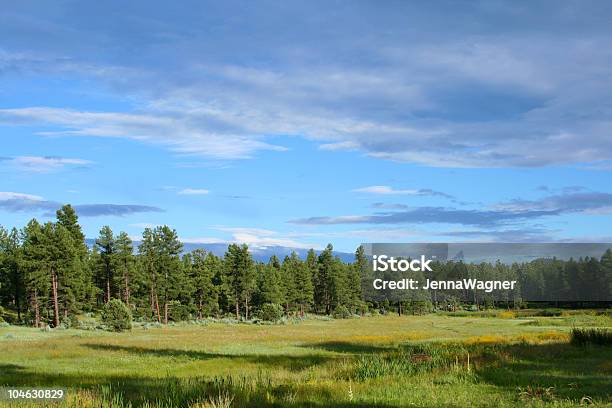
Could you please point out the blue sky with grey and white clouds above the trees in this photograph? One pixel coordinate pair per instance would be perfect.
(297, 124)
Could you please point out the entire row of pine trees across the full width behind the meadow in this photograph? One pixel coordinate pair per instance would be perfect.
(48, 275)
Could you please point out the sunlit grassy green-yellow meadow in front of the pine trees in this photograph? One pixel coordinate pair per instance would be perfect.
(382, 361)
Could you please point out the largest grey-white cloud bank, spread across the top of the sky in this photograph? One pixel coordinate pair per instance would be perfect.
(493, 88)
